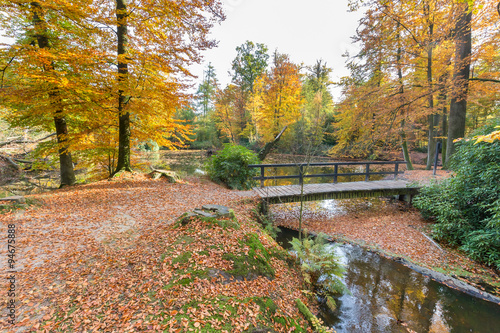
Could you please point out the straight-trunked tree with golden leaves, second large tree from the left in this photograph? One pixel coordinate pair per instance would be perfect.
(168, 37)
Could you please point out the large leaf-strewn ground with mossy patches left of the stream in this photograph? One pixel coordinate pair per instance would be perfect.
(111, 257)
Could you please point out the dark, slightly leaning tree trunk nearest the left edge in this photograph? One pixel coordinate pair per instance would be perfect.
(65, 161)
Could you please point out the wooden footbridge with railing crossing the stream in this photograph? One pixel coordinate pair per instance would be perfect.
(332, 190)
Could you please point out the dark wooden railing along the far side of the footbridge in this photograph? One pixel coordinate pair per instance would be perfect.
(301, 166)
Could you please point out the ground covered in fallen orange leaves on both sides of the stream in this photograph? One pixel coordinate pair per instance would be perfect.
(87, 252)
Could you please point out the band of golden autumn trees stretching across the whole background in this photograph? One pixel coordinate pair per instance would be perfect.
(108, 78)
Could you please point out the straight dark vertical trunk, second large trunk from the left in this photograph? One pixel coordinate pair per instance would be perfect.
(123, 163)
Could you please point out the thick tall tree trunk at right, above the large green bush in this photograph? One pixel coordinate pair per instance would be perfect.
(458, 106)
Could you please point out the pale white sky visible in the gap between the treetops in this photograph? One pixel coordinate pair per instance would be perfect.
(305, 30)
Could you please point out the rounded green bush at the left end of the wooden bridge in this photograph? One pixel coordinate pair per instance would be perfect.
(230, 167)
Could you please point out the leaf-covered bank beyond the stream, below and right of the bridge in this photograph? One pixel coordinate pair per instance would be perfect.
(394, 229)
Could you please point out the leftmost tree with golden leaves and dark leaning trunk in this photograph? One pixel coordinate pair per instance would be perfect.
(41, 72)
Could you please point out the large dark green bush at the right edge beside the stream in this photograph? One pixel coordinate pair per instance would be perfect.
(466, 207)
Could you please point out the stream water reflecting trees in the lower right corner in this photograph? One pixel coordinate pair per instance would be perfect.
(389, 297)
